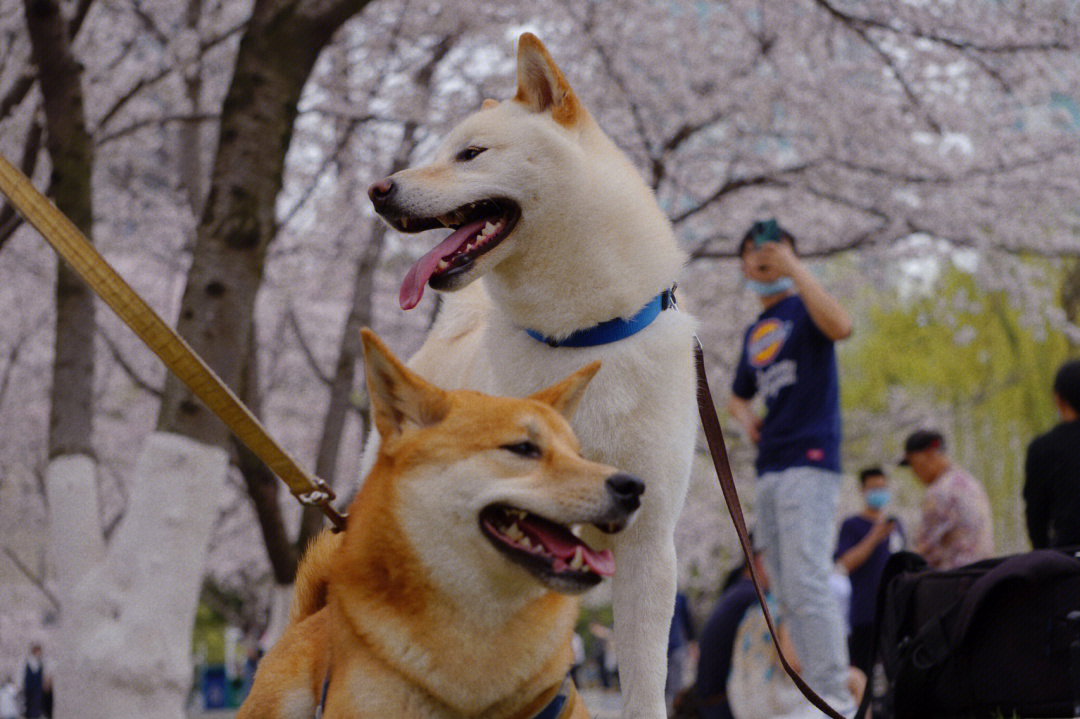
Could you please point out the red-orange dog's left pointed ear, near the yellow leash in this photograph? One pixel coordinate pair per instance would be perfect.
(401, 400)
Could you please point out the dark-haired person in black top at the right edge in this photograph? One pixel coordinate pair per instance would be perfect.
(1052, 470)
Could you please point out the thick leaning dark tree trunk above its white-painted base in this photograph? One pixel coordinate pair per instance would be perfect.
(277, 53)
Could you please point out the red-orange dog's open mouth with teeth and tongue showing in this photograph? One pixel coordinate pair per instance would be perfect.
(549, 551)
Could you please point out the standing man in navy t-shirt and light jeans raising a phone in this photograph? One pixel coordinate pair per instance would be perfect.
(789, 361)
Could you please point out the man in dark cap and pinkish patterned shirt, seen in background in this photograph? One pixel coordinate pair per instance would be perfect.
(956, 527)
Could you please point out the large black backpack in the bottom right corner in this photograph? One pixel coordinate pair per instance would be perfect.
(996, 639)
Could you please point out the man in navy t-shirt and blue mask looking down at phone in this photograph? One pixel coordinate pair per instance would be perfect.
(866, 544)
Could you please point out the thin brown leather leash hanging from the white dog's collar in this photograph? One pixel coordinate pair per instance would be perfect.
(719, 452)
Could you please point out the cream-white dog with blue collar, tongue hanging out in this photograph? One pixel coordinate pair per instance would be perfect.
(572, 247)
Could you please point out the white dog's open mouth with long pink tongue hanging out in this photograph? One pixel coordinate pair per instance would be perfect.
(478, 228)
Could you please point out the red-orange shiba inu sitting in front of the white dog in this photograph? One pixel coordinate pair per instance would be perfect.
(451, 592)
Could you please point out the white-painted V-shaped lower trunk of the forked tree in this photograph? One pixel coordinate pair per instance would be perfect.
(125, 645)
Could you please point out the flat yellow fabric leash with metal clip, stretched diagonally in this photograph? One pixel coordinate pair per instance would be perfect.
(72, 246)
